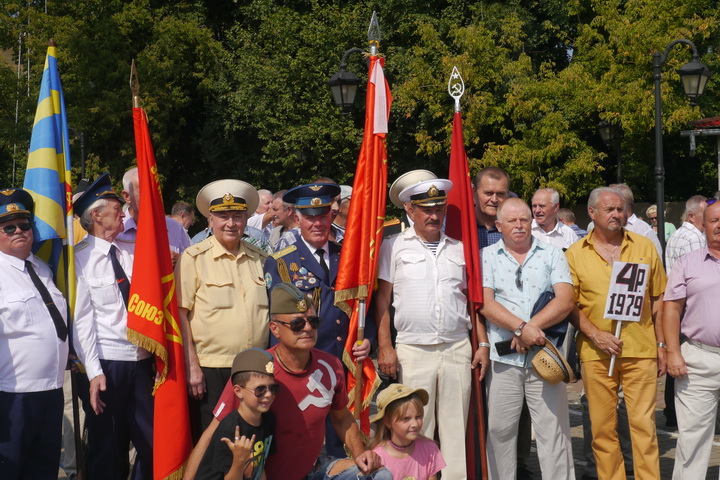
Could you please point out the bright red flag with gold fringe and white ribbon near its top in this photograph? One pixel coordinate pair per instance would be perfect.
(363, 234)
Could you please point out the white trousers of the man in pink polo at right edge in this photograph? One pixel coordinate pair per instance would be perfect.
(696, 404)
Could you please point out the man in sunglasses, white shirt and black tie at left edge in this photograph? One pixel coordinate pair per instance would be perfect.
(33, 318)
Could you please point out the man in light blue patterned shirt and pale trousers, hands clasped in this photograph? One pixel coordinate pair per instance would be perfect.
(516, 271)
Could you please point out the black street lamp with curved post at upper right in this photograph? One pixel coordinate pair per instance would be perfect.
(694, 77)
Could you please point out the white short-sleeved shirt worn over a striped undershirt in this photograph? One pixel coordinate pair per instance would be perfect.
(430, 305)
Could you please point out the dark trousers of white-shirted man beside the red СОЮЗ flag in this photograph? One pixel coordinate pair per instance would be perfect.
(128, 414)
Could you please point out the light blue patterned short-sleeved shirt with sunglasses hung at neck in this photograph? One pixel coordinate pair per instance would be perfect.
(544, 266)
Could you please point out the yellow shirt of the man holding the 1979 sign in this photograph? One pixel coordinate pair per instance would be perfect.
(591, 277)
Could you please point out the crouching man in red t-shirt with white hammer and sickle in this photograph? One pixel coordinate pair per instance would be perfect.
(312, 388)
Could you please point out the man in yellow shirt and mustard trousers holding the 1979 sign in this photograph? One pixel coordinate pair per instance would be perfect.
(640, 351)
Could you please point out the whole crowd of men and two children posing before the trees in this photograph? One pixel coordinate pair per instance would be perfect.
(263, 340)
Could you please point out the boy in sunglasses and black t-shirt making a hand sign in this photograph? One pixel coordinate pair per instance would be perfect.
(252, 426)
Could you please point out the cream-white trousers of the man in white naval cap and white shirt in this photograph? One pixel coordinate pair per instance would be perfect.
(444, 371)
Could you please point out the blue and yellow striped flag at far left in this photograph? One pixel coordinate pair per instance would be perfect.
(48, 179)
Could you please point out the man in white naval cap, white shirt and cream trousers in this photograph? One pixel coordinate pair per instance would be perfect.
(425, 270)
